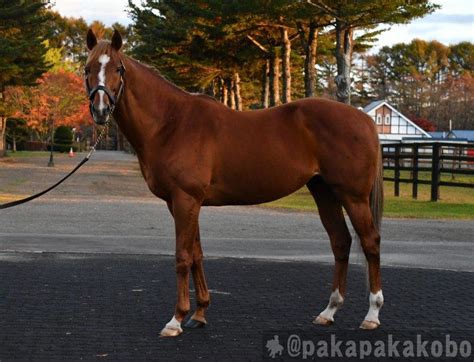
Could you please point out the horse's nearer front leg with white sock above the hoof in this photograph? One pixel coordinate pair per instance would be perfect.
(185, 210)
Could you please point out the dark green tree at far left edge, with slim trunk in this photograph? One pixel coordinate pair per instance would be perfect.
(21, 51)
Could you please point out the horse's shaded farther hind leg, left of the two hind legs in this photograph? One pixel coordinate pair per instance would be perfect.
(332, 217)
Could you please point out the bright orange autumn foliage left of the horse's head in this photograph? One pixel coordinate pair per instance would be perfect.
(59, 96)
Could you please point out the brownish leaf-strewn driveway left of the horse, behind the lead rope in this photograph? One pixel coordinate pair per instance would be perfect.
(108, 174)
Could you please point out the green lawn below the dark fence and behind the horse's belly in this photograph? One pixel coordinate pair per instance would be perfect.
(454, 203)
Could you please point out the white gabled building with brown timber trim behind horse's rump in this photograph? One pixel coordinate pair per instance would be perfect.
(392, 126)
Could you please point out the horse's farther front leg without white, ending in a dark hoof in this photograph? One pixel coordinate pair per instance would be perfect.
(198, 319)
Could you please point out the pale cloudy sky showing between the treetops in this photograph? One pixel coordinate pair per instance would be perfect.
(451, 24)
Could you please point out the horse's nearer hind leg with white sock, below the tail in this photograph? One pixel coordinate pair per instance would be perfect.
(361, 218)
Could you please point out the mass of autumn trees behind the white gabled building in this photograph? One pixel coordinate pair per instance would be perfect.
(427, 80)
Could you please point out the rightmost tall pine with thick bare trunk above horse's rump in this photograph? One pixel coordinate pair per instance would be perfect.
(366, 14)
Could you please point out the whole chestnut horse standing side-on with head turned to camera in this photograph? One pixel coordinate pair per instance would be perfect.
(193, 151)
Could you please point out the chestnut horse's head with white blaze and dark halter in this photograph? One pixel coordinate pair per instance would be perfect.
(103, 74)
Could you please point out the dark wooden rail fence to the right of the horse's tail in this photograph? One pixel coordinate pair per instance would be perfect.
(437, 158)
